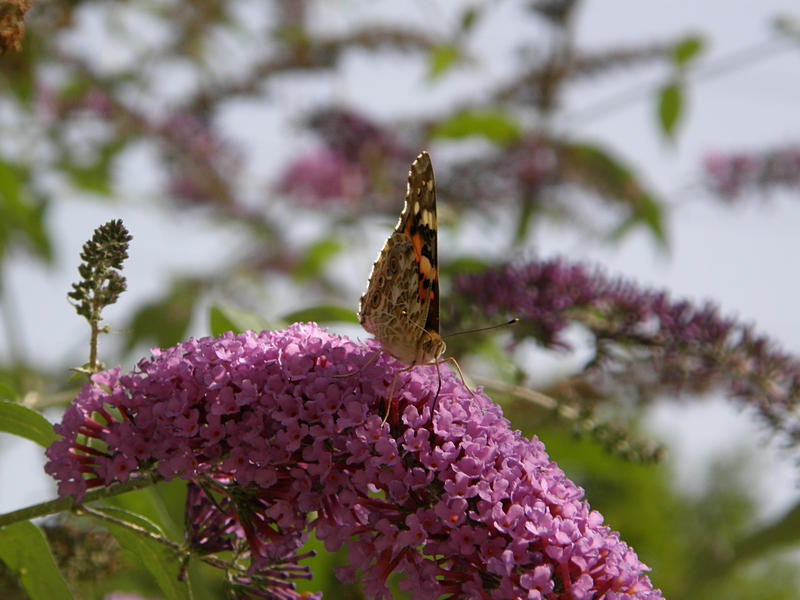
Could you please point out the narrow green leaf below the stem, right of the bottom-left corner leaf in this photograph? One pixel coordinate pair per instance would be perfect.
(162, 563)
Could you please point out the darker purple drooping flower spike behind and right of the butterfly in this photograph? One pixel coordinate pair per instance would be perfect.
(643, 339)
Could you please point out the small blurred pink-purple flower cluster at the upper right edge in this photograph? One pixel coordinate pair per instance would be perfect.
(732, 175)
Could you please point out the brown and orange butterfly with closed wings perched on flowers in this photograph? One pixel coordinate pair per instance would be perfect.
(401, 305)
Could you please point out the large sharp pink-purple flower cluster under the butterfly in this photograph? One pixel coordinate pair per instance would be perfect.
(289, 423)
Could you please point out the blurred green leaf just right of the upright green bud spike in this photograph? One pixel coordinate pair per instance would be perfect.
(164, 323)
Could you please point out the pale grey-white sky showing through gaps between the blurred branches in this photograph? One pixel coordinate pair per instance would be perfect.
(743, 258)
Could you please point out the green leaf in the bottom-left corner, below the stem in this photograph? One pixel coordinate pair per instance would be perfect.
(24, 550)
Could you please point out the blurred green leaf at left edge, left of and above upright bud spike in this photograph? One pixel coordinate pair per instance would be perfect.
(21, 216)
